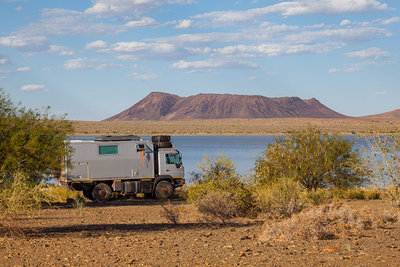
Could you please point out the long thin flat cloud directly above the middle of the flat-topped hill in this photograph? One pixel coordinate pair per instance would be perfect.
(214, 63)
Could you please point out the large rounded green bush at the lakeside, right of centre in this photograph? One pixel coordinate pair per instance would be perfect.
(313, 159)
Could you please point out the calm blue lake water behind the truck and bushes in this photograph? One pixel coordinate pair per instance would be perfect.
(242, 150)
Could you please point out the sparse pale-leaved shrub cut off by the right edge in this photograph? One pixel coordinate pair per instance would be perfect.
(382, 158)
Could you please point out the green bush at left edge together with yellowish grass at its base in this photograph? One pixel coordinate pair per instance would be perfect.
(31, 149)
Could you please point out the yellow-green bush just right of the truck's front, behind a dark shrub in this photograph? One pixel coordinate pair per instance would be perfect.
(221, 175)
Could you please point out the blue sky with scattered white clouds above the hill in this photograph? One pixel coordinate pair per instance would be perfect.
(93, 59)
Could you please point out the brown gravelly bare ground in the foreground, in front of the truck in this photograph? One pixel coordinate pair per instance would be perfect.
(133, 233)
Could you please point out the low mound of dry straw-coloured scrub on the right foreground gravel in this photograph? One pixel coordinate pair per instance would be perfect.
(327, 222)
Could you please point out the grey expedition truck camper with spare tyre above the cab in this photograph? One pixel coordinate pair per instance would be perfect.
(124, 164)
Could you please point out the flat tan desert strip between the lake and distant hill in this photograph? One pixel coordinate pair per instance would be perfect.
(236, 126)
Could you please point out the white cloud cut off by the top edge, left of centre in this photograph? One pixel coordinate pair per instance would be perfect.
(108, 8)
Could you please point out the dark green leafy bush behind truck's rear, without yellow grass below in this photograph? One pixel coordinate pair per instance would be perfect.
(31, 142)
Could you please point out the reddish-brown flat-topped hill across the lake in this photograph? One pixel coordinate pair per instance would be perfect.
(163, 106)
